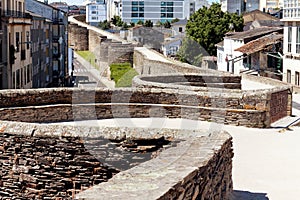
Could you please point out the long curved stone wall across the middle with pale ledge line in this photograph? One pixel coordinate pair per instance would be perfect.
(250, 109)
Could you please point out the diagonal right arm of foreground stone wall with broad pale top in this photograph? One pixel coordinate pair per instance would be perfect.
(183, 172)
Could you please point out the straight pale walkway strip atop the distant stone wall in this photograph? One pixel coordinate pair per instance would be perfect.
(102, 32)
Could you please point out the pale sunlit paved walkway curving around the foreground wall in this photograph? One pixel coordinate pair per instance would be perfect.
(266, 161)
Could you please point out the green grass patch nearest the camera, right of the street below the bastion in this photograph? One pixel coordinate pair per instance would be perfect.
(122, 74)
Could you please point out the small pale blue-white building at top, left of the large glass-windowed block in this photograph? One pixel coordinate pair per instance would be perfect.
(96, 12)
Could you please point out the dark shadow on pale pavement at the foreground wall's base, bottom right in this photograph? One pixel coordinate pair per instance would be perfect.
(245, 195)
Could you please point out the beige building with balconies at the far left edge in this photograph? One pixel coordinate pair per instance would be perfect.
(16, 57)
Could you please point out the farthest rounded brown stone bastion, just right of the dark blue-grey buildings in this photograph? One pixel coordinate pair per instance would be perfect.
(78, 37)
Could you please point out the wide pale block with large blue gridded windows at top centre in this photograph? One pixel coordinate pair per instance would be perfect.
(154, 10)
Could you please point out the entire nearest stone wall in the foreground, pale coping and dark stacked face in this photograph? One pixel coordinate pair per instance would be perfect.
(195, 165)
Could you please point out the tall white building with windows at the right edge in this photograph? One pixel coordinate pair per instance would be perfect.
(291, 48)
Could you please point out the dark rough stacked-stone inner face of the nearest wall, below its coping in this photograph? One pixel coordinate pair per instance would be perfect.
(35, 167)
